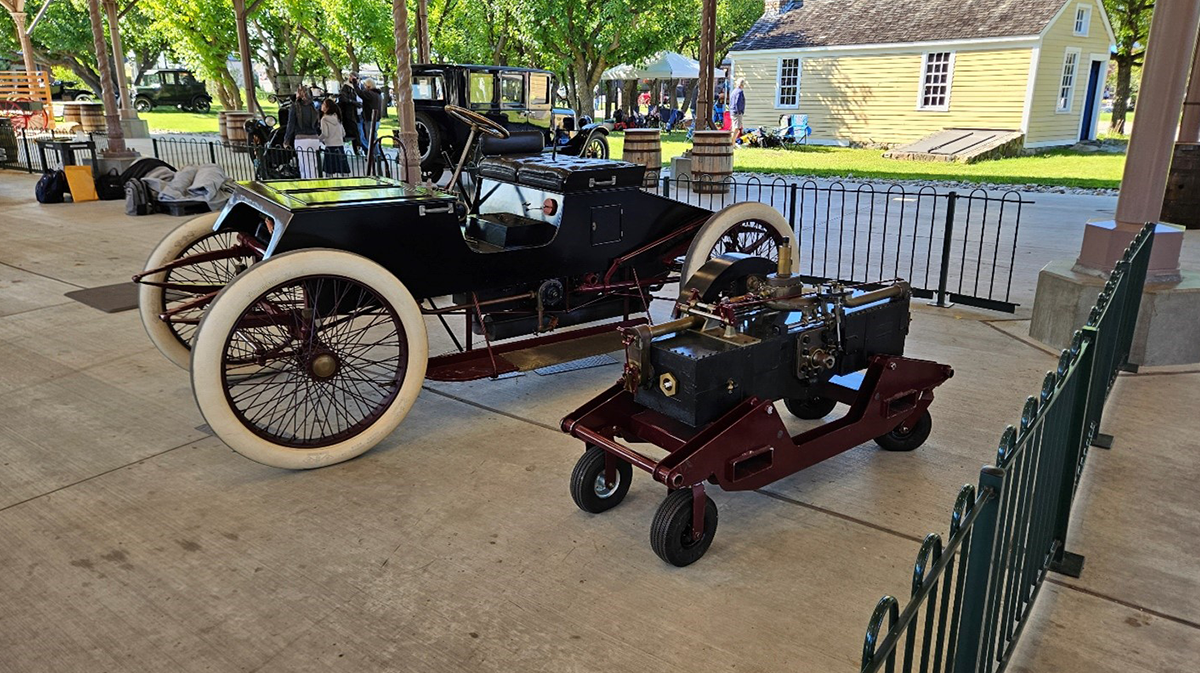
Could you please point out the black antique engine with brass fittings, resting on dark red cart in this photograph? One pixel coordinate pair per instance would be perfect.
(749, 329)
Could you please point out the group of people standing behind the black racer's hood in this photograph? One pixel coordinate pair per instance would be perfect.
(355, 117)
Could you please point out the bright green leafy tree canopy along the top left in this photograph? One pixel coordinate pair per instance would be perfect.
(301, 40)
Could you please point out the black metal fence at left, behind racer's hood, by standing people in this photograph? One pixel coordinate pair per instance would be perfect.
(244, 161)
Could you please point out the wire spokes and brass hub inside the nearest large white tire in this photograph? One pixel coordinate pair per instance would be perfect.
(315, 362)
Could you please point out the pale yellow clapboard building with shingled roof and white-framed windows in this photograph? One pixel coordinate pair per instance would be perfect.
(895, 71)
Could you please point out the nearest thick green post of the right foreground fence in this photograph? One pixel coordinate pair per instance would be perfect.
(975, 621)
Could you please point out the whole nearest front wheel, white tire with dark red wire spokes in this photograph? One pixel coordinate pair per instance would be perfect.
(309, 359)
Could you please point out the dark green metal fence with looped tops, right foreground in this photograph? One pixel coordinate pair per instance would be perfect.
(971, 594)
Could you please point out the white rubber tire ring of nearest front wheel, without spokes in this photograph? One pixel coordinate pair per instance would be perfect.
(229, 307)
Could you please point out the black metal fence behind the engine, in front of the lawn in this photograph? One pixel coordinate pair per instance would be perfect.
(957, 248)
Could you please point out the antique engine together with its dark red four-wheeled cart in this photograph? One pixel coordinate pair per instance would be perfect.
(704, 389)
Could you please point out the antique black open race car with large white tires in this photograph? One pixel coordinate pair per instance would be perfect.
(302, 308)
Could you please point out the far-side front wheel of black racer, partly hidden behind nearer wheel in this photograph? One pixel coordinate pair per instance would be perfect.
(173, 338)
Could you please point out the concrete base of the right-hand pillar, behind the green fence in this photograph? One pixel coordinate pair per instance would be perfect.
(1167, 323)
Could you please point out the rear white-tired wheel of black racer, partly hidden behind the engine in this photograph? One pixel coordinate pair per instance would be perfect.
(751, 229)
